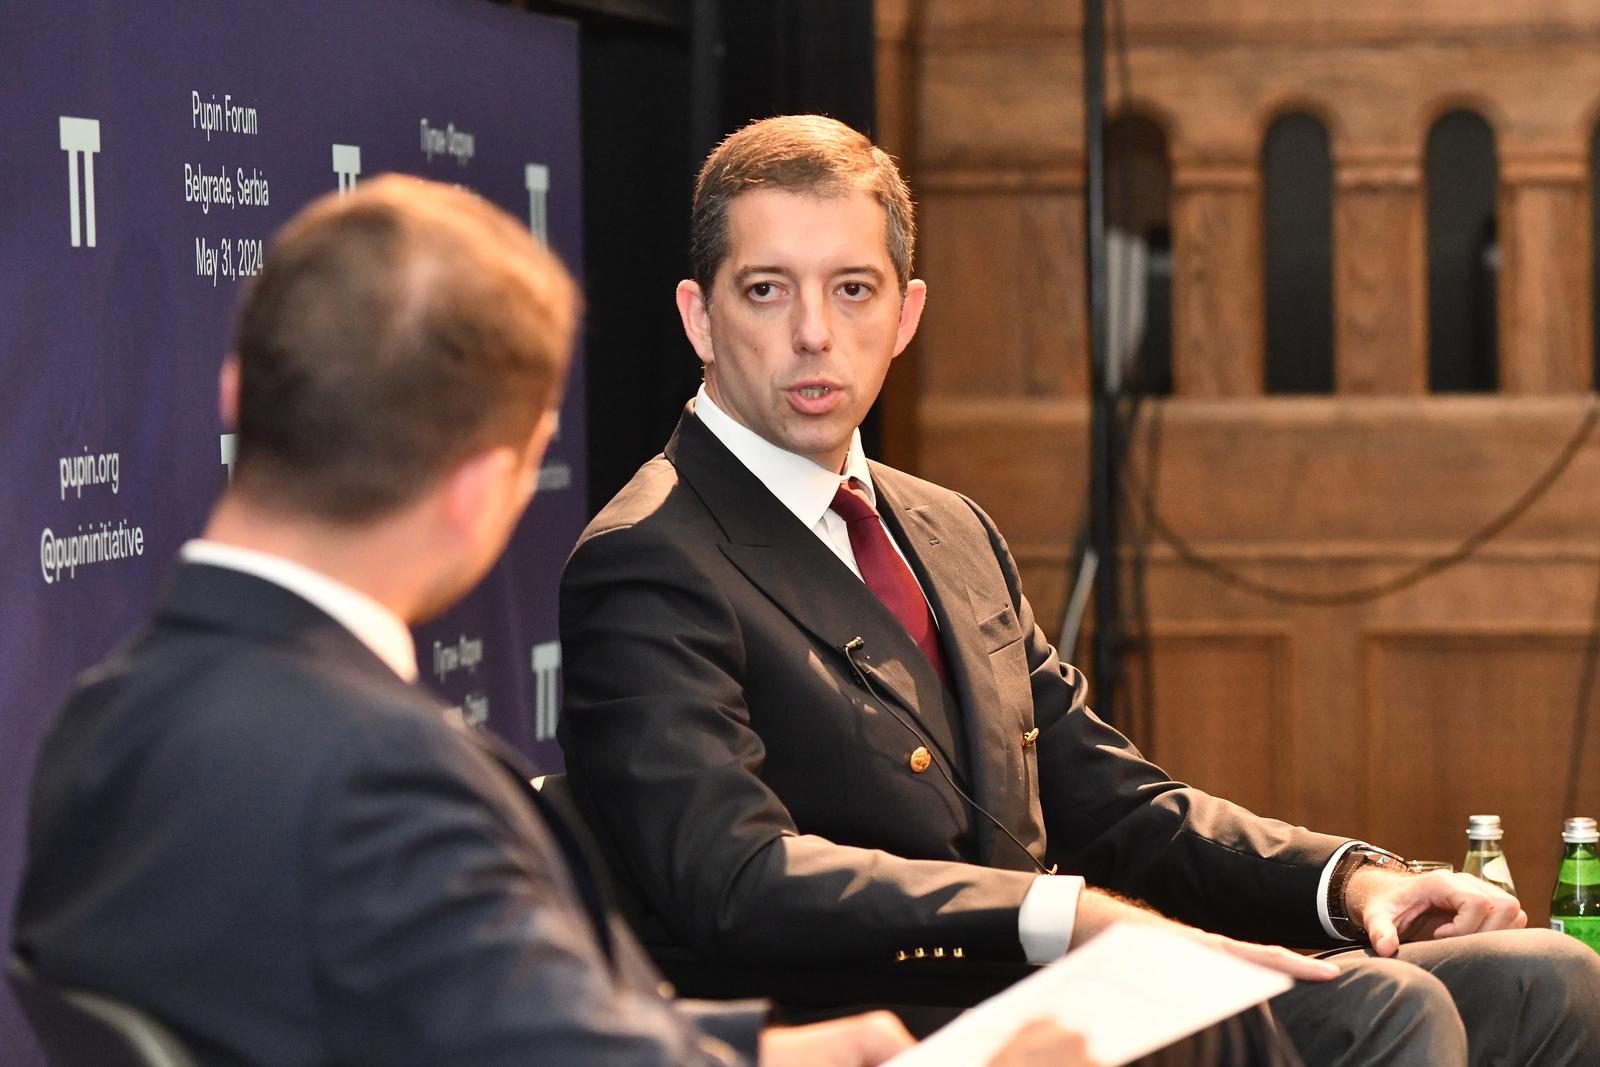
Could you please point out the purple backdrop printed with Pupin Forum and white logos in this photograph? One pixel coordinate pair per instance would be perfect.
(151, 151)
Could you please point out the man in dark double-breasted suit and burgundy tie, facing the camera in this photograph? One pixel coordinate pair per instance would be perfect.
(814, 719)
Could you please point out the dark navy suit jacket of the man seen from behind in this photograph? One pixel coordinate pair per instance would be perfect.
(249, 826)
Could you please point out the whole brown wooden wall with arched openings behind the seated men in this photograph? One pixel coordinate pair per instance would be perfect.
(1306, 494)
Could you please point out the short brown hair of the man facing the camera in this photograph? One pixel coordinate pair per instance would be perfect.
(799, 154)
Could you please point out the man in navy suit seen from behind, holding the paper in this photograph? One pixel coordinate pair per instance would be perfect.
(249, 820)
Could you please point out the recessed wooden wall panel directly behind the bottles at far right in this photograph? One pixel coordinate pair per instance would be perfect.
(1470, 722)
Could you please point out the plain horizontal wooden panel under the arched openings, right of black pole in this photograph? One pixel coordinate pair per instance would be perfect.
(1322, 473)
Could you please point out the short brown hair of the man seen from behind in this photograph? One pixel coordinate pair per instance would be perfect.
(393, 334)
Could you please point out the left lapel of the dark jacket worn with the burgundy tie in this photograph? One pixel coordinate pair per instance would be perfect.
(806, 580)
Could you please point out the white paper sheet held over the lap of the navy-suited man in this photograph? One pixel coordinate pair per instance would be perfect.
(1130, 991)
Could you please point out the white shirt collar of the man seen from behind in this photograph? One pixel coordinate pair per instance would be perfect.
(369, 621)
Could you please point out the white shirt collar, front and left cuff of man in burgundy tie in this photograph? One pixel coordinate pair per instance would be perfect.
(1052, 903)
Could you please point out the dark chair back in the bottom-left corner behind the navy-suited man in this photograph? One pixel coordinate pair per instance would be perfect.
(82, 1029)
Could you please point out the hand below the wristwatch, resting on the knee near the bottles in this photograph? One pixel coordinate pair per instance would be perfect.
(1394, 908)
